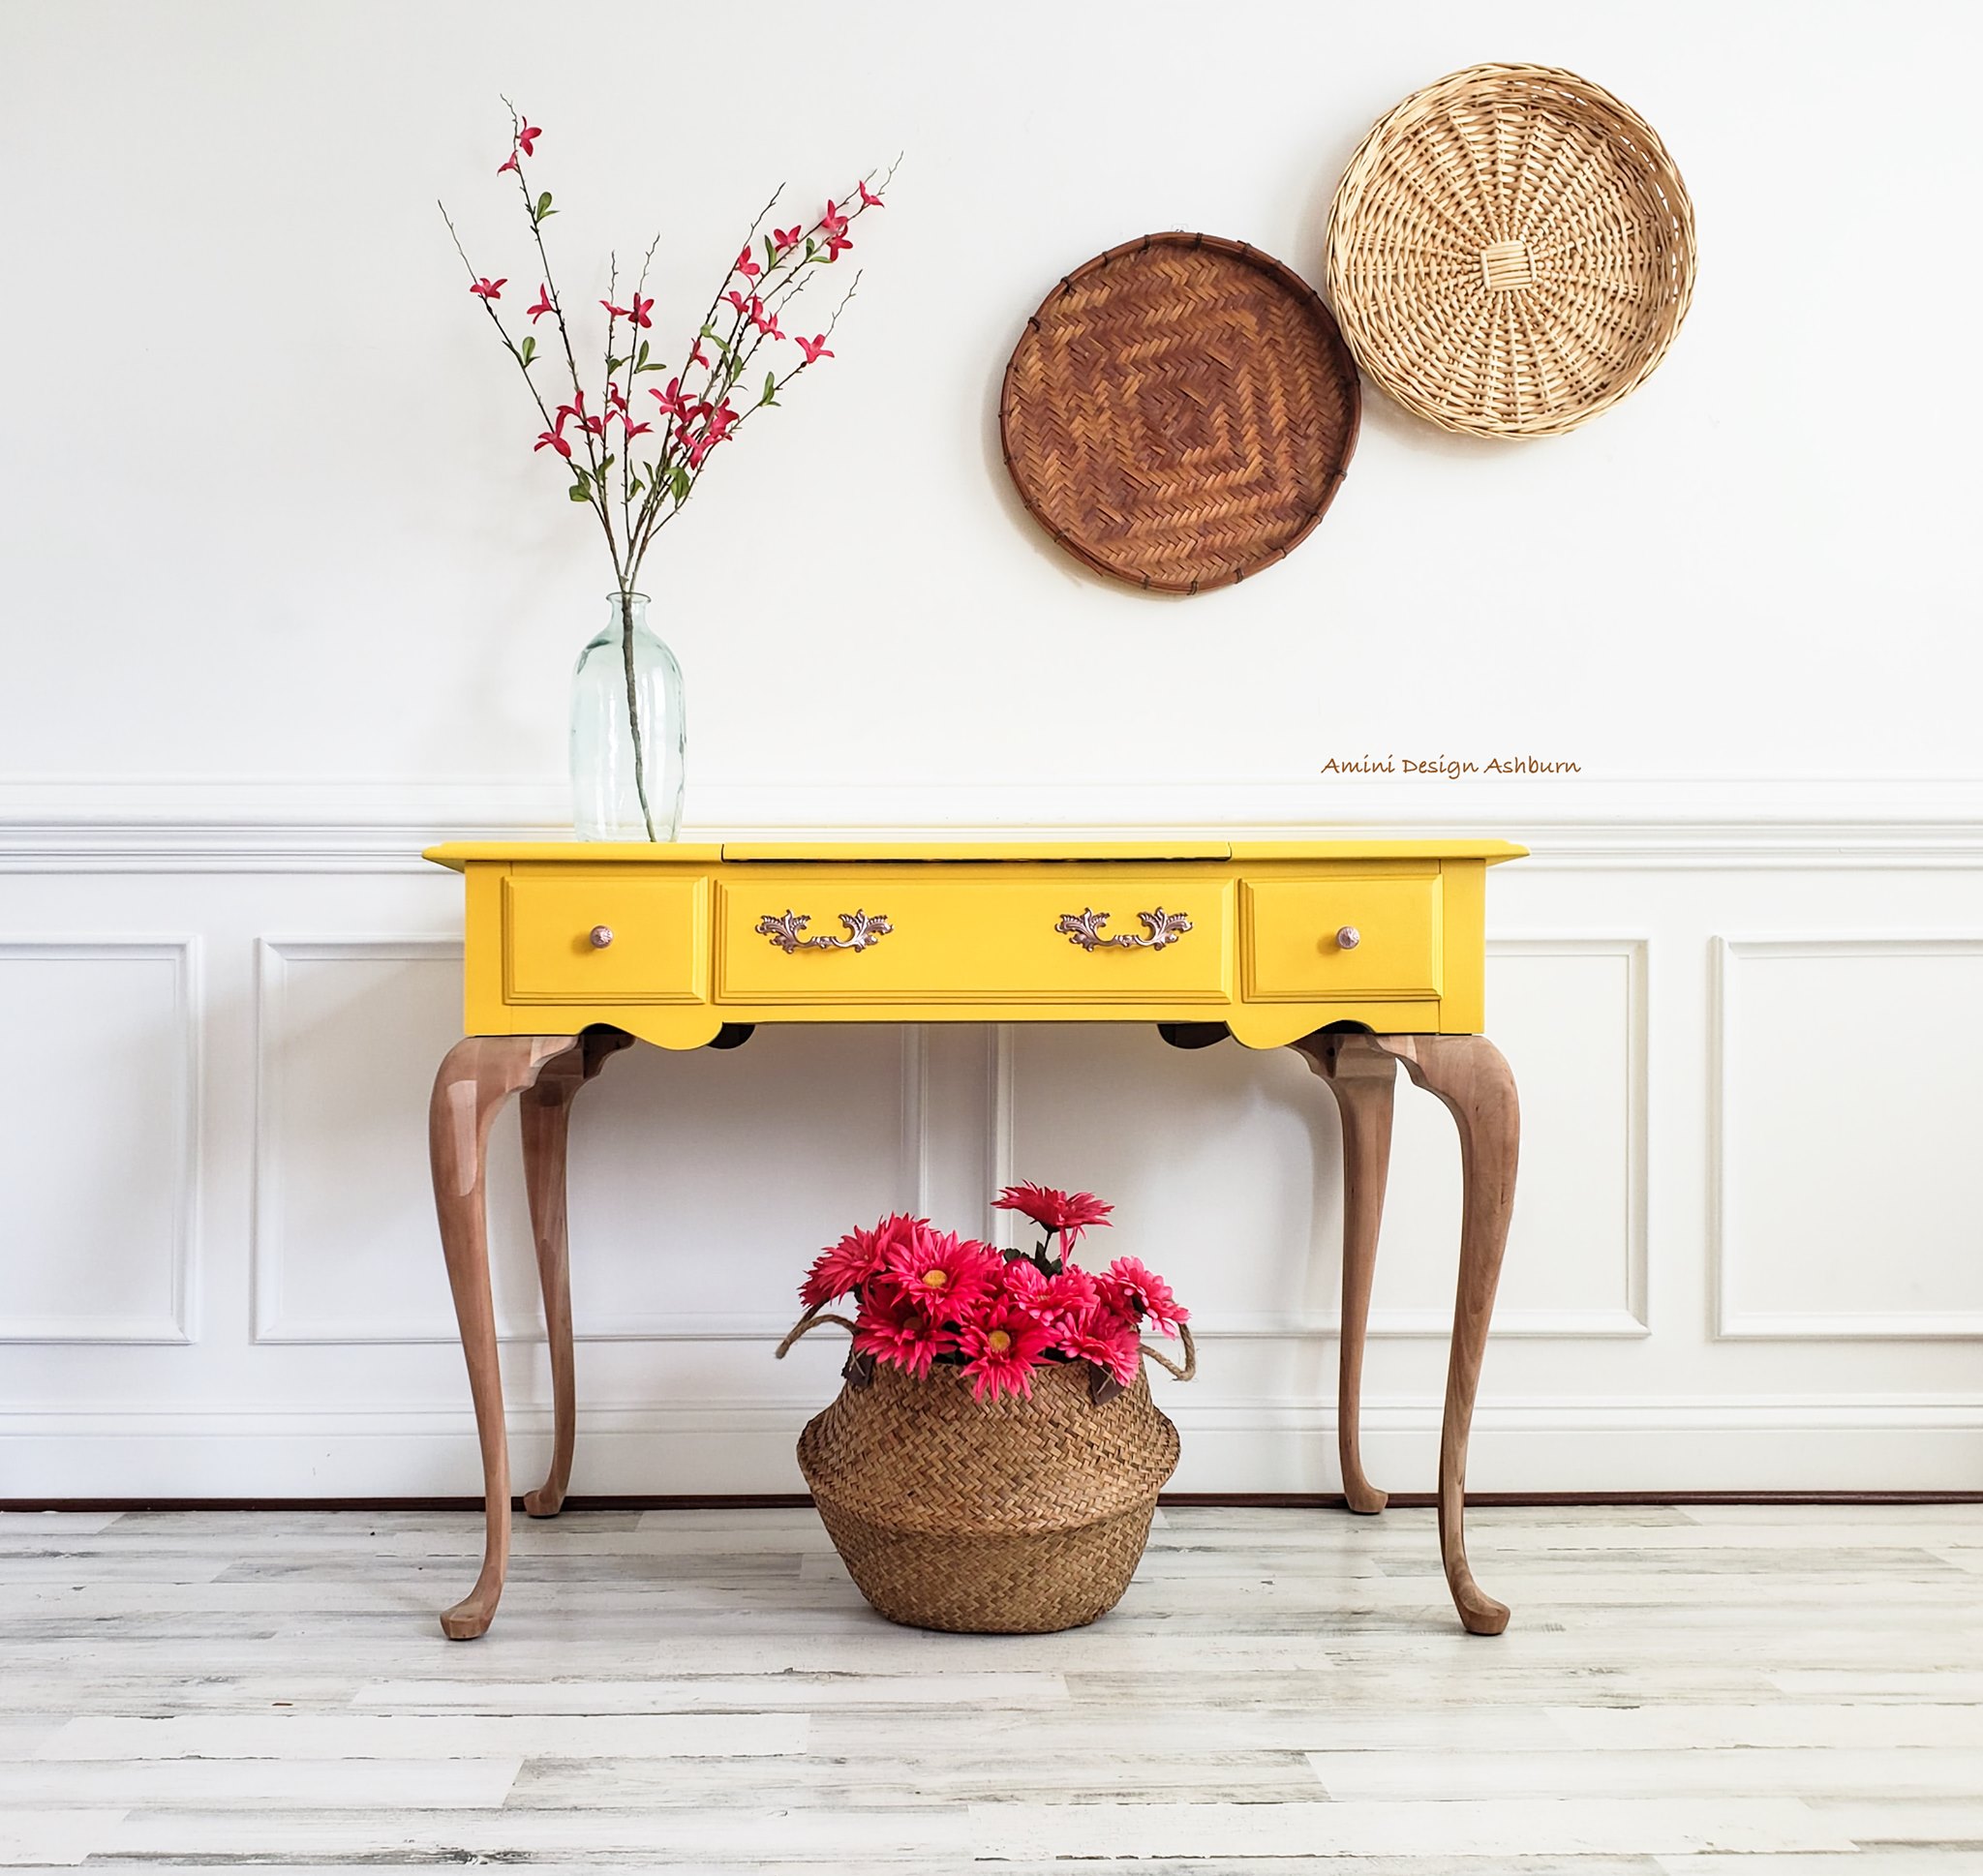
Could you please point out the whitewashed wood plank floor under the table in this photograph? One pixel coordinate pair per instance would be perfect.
(1774, 1693)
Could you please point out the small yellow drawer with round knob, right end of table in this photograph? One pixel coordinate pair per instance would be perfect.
(1294, 949)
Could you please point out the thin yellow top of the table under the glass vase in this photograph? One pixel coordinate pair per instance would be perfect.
(1022, 848)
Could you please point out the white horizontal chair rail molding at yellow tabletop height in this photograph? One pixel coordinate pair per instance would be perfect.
(229, 826)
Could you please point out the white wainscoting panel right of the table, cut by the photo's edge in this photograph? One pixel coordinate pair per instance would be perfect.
(1847, 1137)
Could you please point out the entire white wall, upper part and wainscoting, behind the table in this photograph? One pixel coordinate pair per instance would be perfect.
(285, 594)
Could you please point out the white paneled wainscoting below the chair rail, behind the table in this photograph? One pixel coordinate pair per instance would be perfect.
(1744, 1248)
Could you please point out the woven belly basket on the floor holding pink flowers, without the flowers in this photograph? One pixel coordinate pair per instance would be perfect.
(991, 1518)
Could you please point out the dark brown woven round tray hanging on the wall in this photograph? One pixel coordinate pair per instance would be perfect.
(1179, 411)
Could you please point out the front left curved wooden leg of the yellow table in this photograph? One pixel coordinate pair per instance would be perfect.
(477, 1076)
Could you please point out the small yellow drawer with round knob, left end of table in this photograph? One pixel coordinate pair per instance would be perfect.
(655, 931)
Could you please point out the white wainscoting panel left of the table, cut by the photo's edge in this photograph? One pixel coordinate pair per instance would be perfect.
(100, 1117)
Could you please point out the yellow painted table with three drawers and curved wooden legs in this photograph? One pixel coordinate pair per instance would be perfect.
(1359, 955)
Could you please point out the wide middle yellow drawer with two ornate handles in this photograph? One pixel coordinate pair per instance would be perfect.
(973, 941)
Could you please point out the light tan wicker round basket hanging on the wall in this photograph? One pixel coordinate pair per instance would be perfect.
(1510, 251)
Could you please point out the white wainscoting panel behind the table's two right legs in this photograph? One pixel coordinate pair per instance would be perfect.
(1234, 1161)
